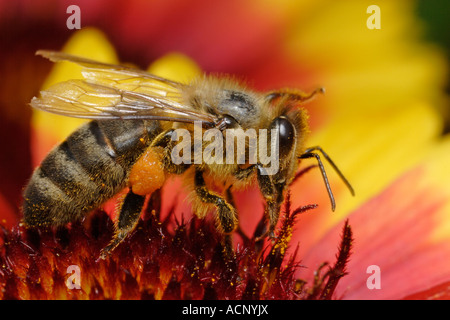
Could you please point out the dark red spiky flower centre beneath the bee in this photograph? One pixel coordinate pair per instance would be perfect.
(155, 262)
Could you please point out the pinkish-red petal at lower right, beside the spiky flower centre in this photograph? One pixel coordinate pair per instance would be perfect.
(393, 232)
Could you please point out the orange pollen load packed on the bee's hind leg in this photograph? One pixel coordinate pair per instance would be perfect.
(147, 174)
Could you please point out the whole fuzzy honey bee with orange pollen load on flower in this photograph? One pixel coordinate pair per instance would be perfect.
(130, 141)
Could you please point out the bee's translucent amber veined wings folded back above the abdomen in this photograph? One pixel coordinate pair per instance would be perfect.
(116, 92)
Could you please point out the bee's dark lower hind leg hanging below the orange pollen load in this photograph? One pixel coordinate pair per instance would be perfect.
(130, 212)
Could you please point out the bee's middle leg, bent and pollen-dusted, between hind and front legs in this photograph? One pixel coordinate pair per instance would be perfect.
(226, 214)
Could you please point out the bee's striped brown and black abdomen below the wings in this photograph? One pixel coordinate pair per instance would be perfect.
(88, 168)
